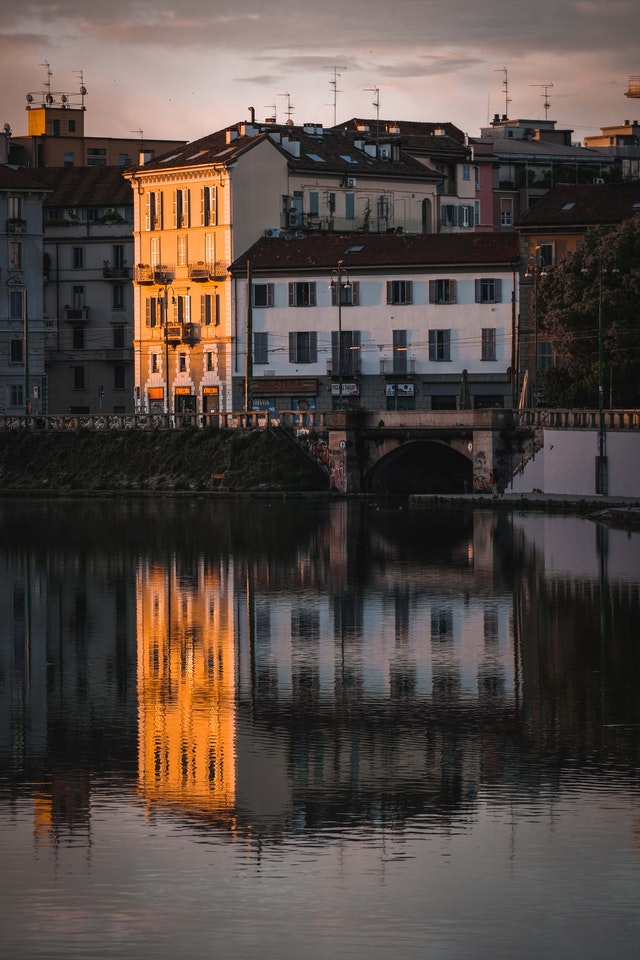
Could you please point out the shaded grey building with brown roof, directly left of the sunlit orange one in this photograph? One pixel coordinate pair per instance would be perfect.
(88, 293)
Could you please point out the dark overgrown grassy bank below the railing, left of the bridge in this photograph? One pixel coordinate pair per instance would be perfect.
(171, 460)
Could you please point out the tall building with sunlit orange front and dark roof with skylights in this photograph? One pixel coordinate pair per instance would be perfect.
(199, 208)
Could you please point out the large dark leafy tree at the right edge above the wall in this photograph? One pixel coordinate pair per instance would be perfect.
(600, 279)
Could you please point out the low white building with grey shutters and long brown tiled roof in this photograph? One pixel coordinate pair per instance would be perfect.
(395, 322)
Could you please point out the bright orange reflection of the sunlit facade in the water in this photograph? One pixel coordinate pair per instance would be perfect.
(186, 684)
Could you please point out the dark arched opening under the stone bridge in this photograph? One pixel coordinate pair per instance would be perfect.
(420, 466)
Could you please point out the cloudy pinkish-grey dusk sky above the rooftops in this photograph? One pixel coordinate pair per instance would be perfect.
(184, 69)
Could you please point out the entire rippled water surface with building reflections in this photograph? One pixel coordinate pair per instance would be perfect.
(287, 730)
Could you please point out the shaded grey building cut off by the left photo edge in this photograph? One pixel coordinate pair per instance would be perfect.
(23, 329)
